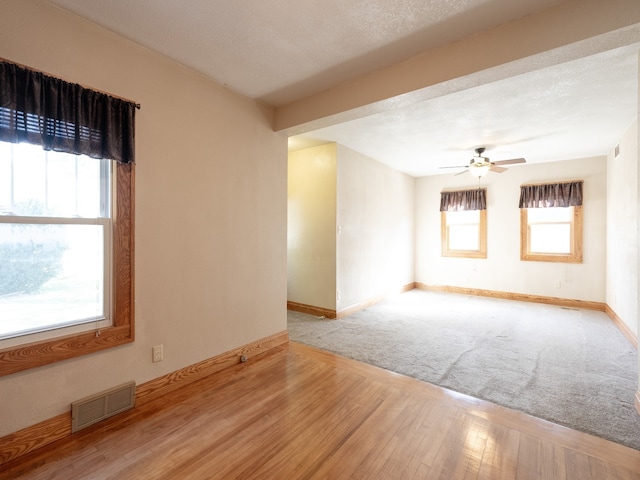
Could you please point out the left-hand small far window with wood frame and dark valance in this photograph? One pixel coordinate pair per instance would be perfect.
(463, 224)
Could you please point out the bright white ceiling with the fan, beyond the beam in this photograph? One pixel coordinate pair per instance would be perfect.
(577, 109)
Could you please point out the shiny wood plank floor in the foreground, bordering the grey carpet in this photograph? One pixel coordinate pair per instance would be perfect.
(301, 413)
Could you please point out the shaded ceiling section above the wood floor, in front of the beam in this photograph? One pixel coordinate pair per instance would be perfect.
(282, 50)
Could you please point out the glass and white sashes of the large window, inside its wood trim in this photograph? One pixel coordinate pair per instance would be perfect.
(55, 251)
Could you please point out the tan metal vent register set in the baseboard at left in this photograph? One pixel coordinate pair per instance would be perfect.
(103, 405)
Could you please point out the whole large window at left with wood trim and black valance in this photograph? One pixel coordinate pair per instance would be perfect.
(66, 220)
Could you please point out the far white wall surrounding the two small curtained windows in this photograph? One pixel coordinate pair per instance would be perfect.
(503, 270)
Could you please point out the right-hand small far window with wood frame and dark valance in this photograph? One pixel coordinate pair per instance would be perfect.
(551, 222)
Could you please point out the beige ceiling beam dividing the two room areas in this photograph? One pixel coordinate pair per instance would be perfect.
(527, 44)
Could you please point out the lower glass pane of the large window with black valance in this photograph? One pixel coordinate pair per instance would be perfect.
(51, 276)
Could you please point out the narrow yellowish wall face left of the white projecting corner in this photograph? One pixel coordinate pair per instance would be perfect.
(311, 243)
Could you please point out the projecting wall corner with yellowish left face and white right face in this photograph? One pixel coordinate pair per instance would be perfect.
(350, 230)
